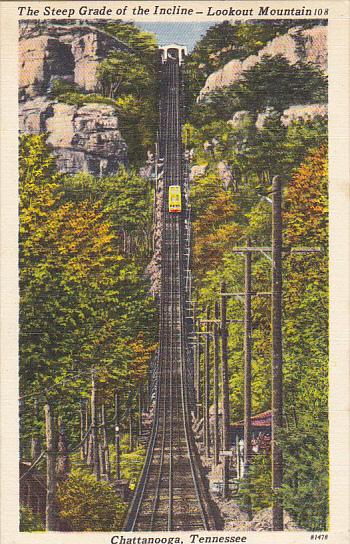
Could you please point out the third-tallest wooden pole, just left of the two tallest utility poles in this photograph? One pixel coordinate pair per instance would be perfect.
(225, 393)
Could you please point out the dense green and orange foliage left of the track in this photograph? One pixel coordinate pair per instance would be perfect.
(84, 245)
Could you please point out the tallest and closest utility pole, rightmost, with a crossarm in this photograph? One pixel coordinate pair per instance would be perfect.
(277, 356)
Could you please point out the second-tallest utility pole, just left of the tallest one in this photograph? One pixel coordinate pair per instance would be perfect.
(247, 360)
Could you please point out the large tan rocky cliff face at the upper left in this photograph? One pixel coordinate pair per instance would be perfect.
(83, 138)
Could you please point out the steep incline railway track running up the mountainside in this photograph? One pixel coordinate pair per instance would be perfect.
(171, 494)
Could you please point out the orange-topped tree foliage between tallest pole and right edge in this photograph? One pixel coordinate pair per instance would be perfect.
(306, 345)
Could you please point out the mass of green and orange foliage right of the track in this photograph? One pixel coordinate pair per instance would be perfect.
(238, 159)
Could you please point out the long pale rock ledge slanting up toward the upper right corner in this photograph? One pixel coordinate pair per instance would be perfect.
(297, 45)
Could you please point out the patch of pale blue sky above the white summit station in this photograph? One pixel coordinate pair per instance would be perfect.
(181, 33)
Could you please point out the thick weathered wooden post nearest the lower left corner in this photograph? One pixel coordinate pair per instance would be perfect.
(51, 482)
